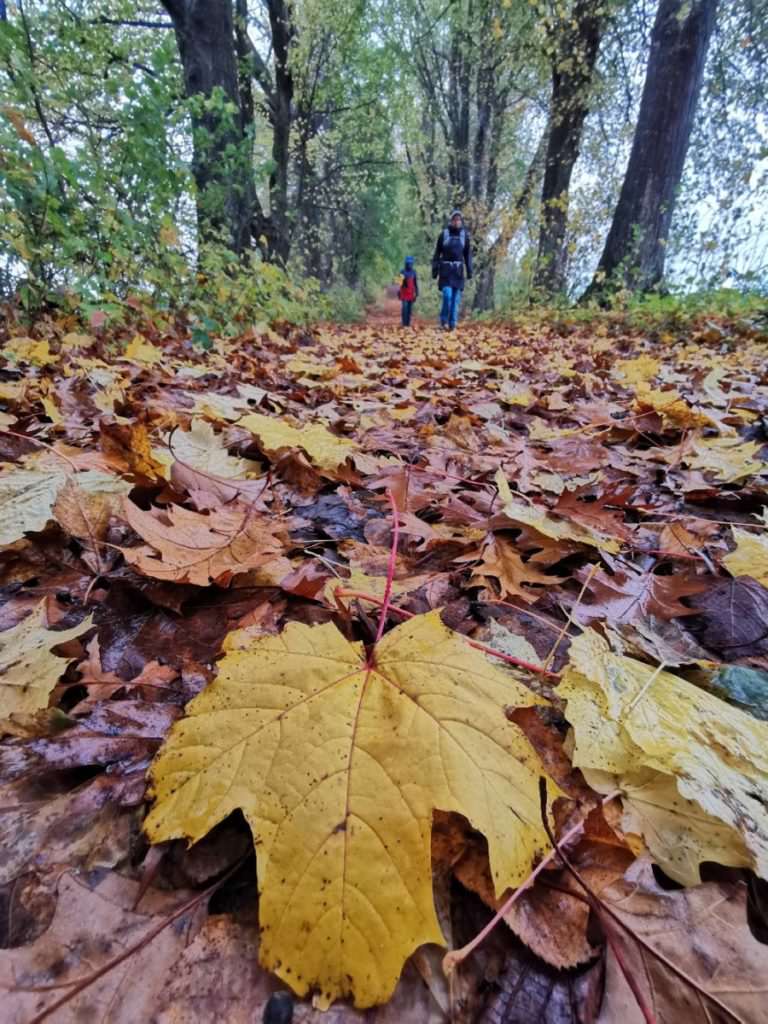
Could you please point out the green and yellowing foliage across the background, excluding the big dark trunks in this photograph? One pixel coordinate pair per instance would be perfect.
(99, 200)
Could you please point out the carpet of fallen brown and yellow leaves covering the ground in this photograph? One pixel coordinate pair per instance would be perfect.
(352, 592)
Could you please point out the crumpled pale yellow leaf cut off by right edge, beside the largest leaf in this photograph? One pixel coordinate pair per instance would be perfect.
(628, 716)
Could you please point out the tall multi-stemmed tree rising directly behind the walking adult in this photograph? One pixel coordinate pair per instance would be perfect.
(476, 68)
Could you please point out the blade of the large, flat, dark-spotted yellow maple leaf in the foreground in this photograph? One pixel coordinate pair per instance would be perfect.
(338, 763)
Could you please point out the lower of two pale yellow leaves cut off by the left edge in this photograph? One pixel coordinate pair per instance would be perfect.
(28, 669)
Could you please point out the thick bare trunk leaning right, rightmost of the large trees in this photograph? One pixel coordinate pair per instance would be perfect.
(636, 246)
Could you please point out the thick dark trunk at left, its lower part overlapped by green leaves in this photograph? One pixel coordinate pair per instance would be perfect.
(222, 158)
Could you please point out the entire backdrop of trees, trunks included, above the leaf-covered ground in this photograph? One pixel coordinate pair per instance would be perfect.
(145, 142)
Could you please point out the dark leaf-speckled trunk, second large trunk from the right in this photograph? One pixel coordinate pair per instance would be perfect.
(572, 81)
